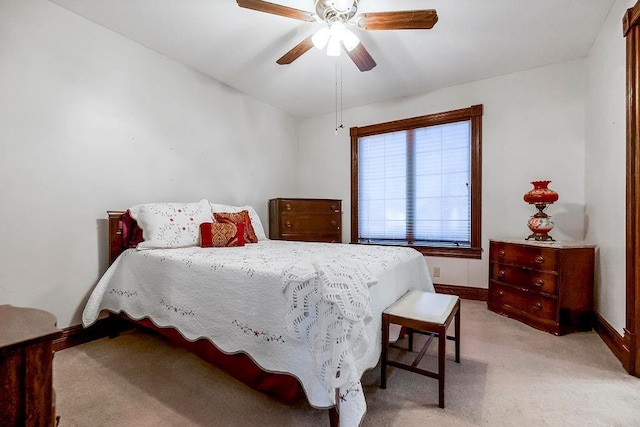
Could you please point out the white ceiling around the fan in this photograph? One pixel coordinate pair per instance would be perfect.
(473, 40)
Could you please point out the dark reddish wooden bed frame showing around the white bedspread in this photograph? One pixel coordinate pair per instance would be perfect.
(283, 387)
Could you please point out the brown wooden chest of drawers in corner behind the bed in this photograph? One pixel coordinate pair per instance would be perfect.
(309, 220)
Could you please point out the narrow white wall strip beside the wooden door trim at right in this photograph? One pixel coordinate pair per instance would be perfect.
(605, 164)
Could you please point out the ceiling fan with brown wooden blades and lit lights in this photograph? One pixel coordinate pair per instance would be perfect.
(338, 15)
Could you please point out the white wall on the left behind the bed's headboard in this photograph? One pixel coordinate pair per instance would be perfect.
(90, 121)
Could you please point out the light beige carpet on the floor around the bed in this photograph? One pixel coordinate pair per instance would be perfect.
(509, 375)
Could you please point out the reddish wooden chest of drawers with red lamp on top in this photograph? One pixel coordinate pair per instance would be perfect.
(546, 285)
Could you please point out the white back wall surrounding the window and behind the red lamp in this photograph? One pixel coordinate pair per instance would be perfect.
(533, 129)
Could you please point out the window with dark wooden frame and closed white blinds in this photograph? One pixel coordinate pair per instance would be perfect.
(416, 182)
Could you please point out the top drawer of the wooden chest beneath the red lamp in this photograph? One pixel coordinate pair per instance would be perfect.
(524, 256)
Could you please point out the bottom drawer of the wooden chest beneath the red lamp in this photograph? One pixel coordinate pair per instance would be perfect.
(533, 305)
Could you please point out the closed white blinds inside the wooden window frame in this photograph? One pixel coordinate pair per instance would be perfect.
(414, 185)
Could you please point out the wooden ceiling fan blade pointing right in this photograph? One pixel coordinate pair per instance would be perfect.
(401, 20)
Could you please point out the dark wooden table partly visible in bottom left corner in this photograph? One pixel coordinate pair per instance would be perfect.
(26, 361)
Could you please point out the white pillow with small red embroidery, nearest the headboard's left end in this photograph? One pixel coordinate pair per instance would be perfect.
(170, 225)
